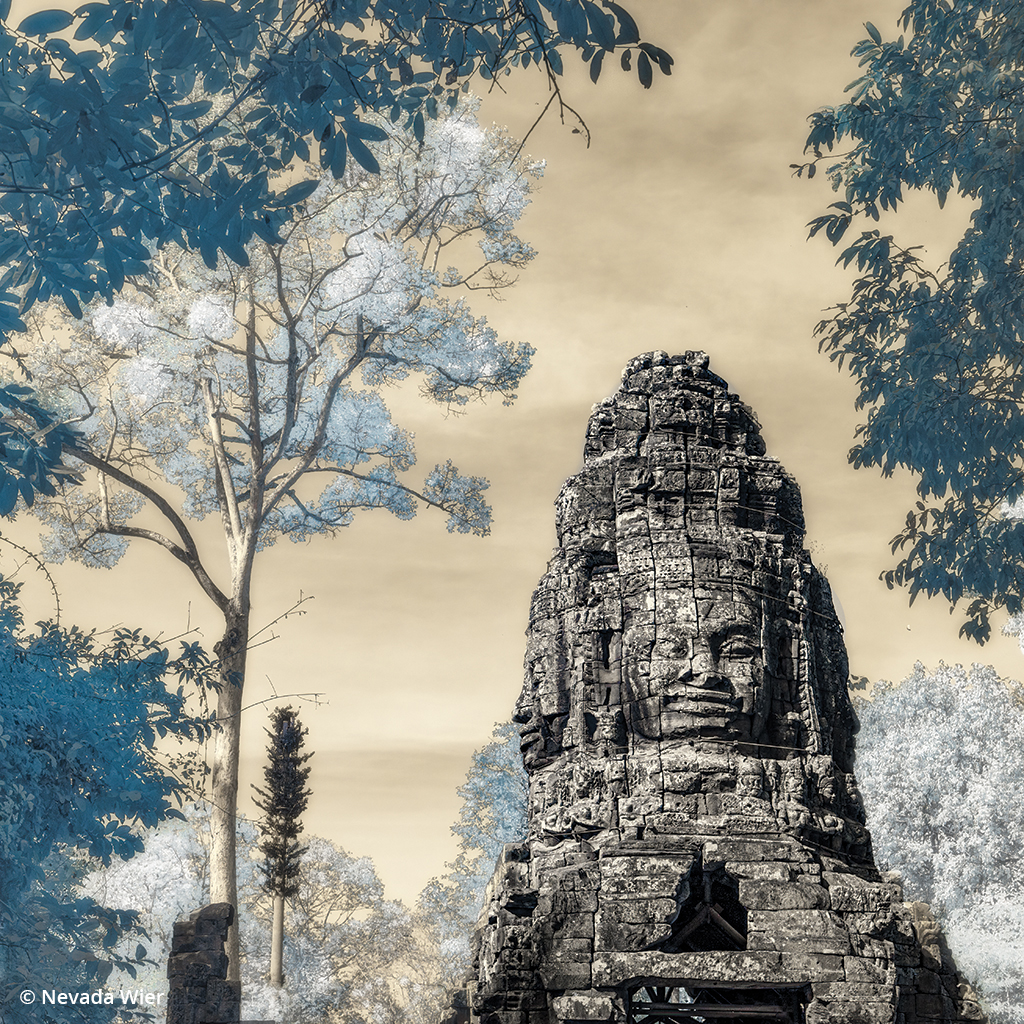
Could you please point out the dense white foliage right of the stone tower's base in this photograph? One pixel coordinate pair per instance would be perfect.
(941, 763)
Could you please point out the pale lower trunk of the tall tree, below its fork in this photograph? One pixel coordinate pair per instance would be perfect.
(224, 881)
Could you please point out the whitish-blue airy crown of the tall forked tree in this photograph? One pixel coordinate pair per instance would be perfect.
(161, 385)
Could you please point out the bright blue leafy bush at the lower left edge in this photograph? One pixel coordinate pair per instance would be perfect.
(79, 722)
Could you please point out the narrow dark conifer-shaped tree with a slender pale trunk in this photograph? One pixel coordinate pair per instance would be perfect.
(283, 801)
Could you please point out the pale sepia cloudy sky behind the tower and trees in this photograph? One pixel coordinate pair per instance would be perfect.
(681, 228)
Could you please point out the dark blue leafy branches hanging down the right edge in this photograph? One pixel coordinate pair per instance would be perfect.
(937, 352)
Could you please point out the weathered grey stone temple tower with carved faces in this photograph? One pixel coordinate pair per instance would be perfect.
(697, 849)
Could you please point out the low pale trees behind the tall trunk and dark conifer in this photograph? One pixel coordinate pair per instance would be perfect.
(348, 948)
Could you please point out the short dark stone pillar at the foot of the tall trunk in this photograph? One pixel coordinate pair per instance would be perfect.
(200, 993)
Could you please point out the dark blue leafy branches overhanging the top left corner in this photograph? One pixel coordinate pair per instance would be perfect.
(166, 121)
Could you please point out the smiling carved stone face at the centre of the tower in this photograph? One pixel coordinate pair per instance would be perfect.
(707, 673)
